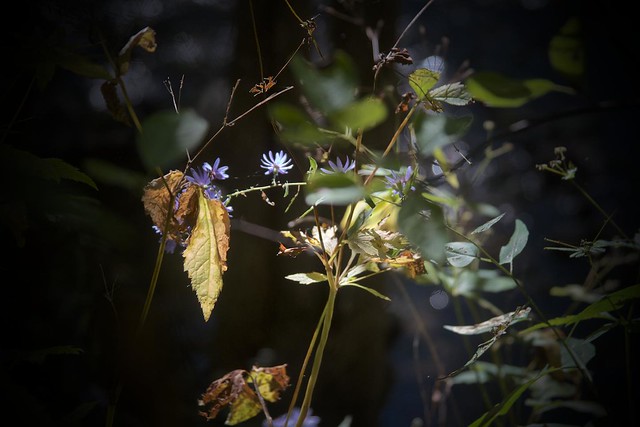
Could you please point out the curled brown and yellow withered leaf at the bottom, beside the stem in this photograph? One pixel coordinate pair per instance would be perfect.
(237, 390)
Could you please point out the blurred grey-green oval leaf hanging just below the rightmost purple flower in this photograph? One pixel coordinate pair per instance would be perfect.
(422, 222)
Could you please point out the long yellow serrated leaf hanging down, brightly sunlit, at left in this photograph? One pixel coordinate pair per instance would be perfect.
(205, 257)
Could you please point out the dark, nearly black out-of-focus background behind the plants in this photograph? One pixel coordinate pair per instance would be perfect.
(82, 274)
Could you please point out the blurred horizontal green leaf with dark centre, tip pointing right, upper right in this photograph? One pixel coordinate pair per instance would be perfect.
(497, 90)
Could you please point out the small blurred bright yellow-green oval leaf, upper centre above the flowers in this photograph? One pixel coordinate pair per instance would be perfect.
(363, 114)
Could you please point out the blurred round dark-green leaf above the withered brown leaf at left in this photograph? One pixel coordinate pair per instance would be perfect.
(167, 137)
